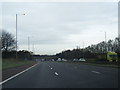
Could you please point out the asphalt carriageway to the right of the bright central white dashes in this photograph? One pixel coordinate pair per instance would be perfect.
(82, 76)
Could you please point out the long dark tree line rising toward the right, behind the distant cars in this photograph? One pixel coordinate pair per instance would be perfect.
(96, 51)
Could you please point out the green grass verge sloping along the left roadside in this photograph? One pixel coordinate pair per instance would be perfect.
(9, 63)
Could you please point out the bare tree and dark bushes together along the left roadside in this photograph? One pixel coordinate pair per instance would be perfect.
(9, 48)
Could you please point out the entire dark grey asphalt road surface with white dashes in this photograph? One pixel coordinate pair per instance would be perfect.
(65, 75)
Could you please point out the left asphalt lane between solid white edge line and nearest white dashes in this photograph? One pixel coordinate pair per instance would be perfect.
(38, 77)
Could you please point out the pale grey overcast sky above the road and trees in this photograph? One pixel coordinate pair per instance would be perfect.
(54, 27)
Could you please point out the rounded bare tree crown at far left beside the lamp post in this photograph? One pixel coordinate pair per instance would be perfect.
(8, 41)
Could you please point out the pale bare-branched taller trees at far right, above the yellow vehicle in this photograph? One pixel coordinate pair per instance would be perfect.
(102, 47)
